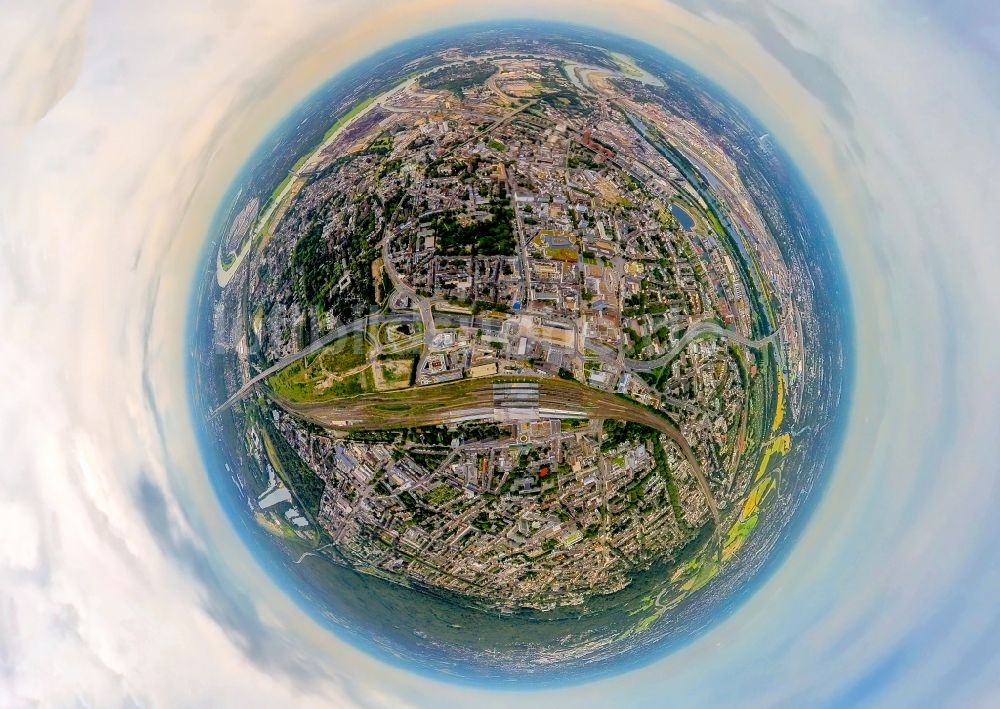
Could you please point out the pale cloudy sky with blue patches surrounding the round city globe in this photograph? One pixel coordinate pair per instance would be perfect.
(121, 125)
